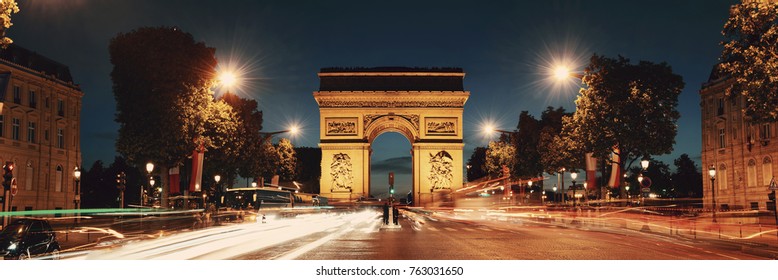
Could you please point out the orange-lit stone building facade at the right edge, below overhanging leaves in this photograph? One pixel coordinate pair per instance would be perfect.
(743, 153)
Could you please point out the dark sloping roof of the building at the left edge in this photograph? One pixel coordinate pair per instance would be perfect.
(18, 55)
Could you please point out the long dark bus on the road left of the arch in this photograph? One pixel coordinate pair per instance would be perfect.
(256, 198)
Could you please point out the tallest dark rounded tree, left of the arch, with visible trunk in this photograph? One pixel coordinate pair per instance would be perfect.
(161, 83)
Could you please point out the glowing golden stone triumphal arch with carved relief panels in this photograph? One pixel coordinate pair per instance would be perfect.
(356, 105)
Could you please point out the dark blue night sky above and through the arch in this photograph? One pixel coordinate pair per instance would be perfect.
(504, 47)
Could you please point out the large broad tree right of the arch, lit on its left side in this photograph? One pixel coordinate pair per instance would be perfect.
(626, 109)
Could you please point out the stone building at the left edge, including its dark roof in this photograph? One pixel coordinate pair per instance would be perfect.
(39, 128)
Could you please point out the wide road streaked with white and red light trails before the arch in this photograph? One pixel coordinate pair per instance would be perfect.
(424, 235)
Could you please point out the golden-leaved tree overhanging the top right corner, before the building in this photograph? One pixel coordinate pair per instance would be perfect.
(750, 58)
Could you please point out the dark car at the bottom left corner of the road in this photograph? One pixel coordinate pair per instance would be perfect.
(25, 238)
